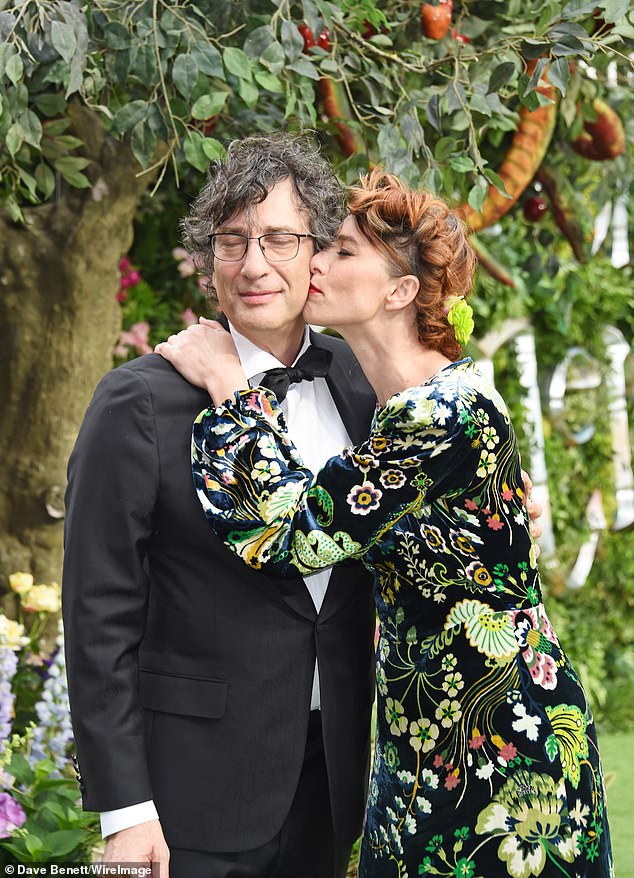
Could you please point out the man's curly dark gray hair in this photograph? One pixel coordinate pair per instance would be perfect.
(250, 169)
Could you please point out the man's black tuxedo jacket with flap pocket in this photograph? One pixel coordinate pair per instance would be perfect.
(189, 674)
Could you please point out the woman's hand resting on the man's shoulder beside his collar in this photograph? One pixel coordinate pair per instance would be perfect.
(206, 356)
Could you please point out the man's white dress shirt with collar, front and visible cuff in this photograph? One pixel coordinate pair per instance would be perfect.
(316, 428)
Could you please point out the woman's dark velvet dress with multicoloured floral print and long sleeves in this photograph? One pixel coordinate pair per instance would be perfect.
(486, 762)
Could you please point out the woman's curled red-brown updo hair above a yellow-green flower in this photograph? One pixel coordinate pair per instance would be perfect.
(418, 234)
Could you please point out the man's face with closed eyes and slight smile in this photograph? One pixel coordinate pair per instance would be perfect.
(265, 299)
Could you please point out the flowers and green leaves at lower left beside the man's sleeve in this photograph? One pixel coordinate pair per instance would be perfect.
(41, 819)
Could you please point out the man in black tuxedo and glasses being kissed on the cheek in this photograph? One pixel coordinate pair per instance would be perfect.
(216, 712)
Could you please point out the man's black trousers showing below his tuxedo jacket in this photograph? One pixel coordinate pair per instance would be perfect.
(305, 847)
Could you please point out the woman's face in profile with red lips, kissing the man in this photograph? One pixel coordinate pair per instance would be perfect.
(349, 281)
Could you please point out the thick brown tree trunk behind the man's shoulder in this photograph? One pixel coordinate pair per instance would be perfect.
(59, 320)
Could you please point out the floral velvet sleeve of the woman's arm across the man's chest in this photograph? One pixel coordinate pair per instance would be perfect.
(276, 515)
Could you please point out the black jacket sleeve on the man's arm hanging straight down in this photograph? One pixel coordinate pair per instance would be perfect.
(112, 486)
